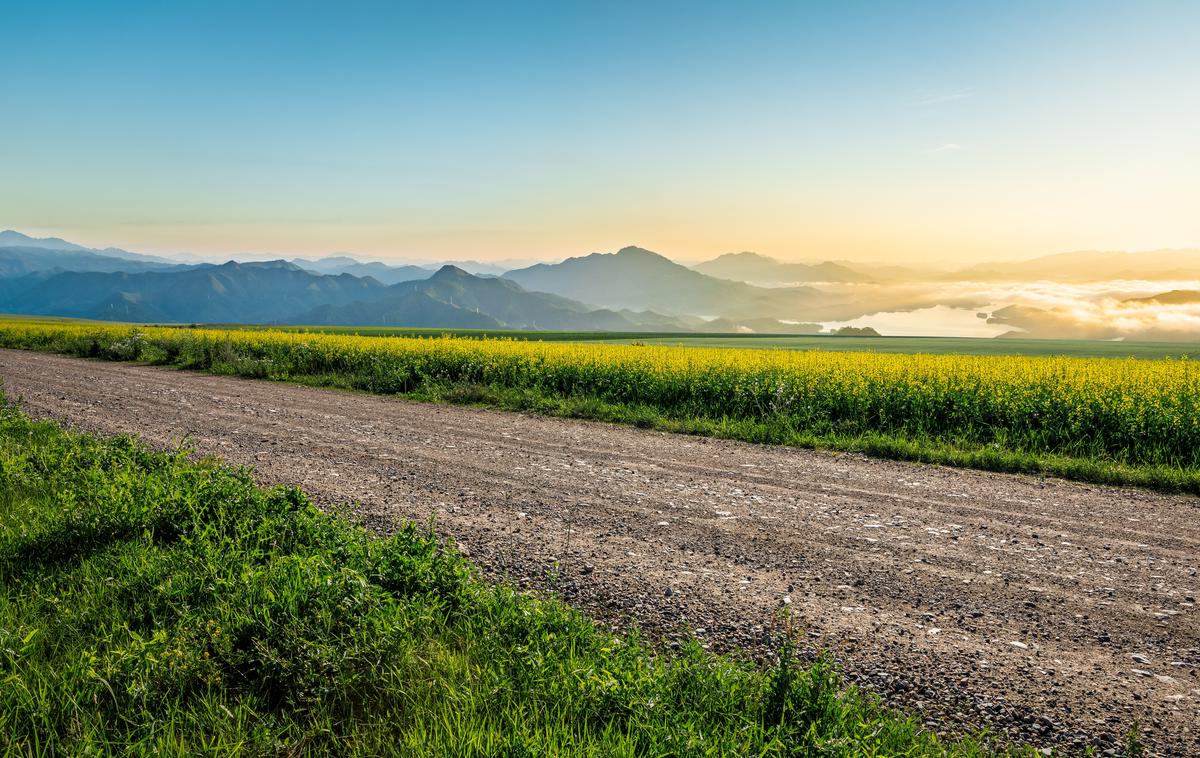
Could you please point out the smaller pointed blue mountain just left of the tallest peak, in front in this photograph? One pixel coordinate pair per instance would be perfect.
(455, 299)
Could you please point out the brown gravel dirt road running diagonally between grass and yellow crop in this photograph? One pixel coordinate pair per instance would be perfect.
(1054, 612)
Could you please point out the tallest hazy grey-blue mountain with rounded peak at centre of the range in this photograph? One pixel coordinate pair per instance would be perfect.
(638, 279)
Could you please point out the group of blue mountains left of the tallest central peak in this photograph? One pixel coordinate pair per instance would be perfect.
(39, 279)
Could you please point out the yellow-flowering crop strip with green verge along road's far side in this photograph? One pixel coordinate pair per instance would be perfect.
(1103, 420)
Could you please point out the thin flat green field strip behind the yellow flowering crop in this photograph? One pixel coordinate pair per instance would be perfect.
(939, 346)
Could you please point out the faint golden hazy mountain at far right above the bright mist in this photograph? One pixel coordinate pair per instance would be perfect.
(1091, 267)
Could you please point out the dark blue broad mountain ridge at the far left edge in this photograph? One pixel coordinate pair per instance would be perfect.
(250, 293)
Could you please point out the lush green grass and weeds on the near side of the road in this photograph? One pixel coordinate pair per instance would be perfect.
(149, 604)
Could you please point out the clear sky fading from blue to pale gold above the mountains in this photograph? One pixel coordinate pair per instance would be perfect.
(890, 131)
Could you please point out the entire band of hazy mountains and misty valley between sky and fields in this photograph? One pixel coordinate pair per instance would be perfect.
(1151, 296)
